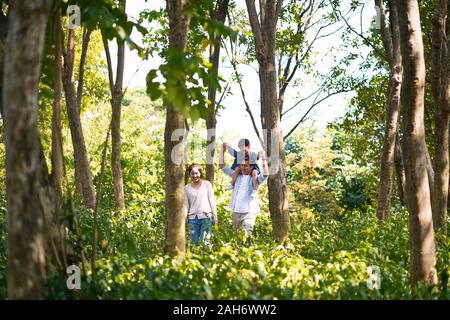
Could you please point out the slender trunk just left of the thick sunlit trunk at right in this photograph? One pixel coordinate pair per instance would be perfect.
(393, 110)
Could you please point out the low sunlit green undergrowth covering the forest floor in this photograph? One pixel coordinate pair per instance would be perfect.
(325, 259)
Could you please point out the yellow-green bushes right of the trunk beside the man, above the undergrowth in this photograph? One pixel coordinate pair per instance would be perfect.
(323, 180)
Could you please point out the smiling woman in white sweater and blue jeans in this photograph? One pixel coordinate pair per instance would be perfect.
(199, 206)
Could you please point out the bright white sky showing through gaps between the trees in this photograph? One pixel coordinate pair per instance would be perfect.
(234, 121)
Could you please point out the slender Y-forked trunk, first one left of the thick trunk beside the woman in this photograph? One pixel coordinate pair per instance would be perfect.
(116, 105)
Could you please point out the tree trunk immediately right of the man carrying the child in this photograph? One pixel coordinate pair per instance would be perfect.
(263, 28)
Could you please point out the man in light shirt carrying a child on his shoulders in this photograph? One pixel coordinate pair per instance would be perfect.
(244, 200)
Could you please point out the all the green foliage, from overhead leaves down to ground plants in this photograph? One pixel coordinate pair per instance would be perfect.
(331, 177)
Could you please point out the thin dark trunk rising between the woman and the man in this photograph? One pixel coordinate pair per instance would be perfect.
(219, 14)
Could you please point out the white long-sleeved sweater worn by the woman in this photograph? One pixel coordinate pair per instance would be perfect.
(199, 203)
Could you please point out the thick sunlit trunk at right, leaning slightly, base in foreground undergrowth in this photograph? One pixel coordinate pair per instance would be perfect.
(423, 252)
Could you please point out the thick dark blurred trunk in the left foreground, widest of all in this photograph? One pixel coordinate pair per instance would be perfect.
(26, 247)
